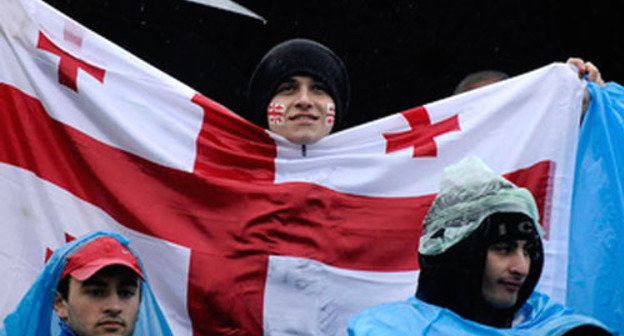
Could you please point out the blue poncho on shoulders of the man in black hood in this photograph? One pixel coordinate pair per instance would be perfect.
(538, 316)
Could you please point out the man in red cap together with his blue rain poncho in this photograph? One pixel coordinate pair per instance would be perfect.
(92, 286)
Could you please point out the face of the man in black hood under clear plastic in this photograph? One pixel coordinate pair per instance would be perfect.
(506, 268)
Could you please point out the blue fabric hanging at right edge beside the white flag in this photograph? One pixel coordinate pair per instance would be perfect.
(596, 257)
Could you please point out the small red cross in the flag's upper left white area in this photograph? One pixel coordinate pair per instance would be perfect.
(69, 65)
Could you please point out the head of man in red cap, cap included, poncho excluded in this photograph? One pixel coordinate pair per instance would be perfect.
(100, 290)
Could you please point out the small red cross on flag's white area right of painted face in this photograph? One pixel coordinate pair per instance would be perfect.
(421, 134)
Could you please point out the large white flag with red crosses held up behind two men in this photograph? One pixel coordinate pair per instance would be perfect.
(240, 233)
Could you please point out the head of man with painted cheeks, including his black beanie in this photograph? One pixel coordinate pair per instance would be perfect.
(300, 90)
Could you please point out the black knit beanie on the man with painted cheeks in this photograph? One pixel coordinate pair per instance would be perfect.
(297, 57)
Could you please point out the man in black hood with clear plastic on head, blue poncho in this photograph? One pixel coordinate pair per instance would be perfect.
(480, 256)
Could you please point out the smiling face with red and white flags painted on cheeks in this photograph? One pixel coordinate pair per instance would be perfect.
(302, 110)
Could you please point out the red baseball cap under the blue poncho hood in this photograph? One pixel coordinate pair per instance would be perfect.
(99, 253)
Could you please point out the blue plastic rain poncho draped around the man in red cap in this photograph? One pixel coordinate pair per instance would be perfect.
(35, 316)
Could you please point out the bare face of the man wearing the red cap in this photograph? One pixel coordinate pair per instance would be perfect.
(105, 304)
